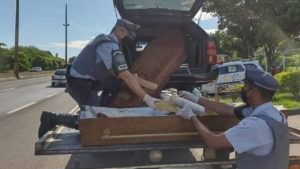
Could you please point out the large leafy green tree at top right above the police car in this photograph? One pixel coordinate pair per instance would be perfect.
(266, 23)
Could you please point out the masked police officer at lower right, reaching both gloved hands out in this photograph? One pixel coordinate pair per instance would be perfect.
(261, 138)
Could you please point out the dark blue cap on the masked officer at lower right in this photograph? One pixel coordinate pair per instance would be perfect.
(261, 79)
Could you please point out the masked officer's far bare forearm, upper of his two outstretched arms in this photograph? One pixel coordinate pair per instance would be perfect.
(218, 107)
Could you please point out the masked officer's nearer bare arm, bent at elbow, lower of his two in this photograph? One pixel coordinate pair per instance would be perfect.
(211, 140)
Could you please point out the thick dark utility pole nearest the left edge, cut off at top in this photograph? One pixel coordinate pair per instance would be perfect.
(16, 57)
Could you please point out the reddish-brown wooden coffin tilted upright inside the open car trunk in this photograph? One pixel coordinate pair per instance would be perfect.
(157, 63)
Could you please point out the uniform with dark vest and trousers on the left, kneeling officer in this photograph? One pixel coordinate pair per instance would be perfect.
(91, 71)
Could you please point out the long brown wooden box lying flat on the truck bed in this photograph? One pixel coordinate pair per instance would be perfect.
(130, 130)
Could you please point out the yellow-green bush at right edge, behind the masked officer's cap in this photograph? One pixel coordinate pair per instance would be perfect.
(289, 81)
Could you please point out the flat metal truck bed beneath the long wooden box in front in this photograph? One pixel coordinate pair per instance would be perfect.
(146, 155)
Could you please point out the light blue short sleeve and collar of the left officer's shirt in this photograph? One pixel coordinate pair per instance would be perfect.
(104, 51)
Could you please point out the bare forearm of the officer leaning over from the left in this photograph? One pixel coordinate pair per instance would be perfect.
(132, 83)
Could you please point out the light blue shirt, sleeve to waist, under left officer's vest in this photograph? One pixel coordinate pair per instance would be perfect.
(104, 53)
